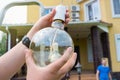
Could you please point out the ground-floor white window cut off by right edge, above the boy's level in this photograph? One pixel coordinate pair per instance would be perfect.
(117, 41)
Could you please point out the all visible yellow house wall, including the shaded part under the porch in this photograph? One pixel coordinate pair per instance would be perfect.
(106, 16)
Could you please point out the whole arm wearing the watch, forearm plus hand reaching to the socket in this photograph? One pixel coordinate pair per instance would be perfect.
(13, 60)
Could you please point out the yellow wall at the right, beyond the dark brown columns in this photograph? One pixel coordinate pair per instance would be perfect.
(106, 10)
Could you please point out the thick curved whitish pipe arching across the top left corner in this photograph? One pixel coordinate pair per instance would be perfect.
(20, 3)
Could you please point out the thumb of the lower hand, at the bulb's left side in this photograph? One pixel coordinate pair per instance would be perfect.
(29, 59)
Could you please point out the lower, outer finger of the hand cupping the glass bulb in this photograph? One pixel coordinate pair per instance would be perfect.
(68, 66)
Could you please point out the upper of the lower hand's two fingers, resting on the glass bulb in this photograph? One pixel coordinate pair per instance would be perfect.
(55, 66)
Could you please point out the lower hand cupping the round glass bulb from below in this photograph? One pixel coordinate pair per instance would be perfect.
(54, 71)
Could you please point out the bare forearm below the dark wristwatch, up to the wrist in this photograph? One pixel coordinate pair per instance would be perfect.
(12, 61)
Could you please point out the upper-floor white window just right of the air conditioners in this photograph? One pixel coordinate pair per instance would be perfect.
(92, 11)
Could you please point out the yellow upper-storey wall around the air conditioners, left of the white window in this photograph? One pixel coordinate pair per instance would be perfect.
(34, 10)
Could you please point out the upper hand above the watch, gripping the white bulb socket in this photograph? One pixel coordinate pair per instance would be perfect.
(45, 21)
